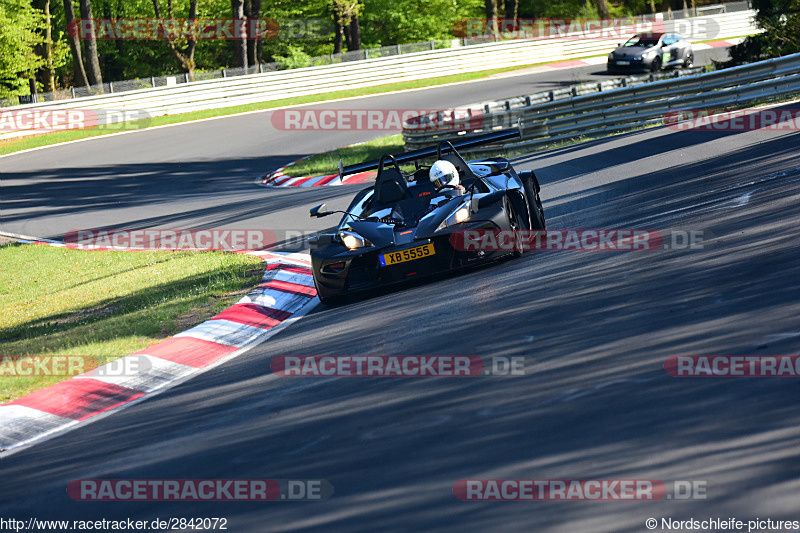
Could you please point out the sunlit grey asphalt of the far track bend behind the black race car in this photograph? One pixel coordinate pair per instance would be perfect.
(200, 175)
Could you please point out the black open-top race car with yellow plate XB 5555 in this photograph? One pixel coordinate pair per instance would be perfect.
(407, 225)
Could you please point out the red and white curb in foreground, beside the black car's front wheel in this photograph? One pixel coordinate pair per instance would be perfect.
(286, 292)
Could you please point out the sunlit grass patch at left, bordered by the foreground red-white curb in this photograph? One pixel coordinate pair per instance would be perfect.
(57, 301)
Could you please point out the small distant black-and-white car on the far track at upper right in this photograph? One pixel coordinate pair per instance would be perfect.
(653, 52)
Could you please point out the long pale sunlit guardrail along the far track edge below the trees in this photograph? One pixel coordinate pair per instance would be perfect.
(254, 88)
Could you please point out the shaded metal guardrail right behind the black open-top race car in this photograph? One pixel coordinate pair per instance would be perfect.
(625, 108)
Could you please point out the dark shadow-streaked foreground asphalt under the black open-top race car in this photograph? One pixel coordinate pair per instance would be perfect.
(594, 327)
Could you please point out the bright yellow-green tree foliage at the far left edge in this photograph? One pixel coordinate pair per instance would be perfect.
(21, 31)
